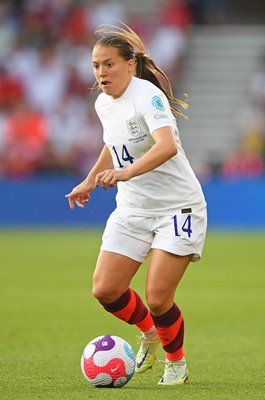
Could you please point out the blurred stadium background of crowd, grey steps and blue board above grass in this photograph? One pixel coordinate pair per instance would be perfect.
(49, 135)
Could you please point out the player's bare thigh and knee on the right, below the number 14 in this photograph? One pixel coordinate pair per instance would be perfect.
(164, 274)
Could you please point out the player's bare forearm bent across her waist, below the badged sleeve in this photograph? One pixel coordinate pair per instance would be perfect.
(164, 148)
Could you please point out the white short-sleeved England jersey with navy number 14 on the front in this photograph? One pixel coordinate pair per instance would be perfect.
(128, 123)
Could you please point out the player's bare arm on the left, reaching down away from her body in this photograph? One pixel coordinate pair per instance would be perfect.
(80, 194)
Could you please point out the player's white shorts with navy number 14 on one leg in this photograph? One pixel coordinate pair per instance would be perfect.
(182, 233)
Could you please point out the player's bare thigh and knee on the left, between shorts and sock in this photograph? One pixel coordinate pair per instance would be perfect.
(112, 275)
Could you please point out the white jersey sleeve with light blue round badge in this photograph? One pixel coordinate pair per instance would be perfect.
(156, 110)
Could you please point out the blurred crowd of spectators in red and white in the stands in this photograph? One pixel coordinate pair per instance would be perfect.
(47, 118)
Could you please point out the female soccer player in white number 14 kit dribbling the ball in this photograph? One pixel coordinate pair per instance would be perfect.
(160, 205)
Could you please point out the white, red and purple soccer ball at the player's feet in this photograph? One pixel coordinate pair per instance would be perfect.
(108, 361)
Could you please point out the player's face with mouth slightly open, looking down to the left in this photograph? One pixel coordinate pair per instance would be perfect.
(112, 72)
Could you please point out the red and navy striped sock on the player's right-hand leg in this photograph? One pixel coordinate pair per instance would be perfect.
(170, 329)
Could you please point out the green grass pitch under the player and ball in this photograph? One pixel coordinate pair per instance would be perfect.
(47, 316)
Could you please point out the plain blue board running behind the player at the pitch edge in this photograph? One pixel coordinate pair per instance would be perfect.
(232, 204)
